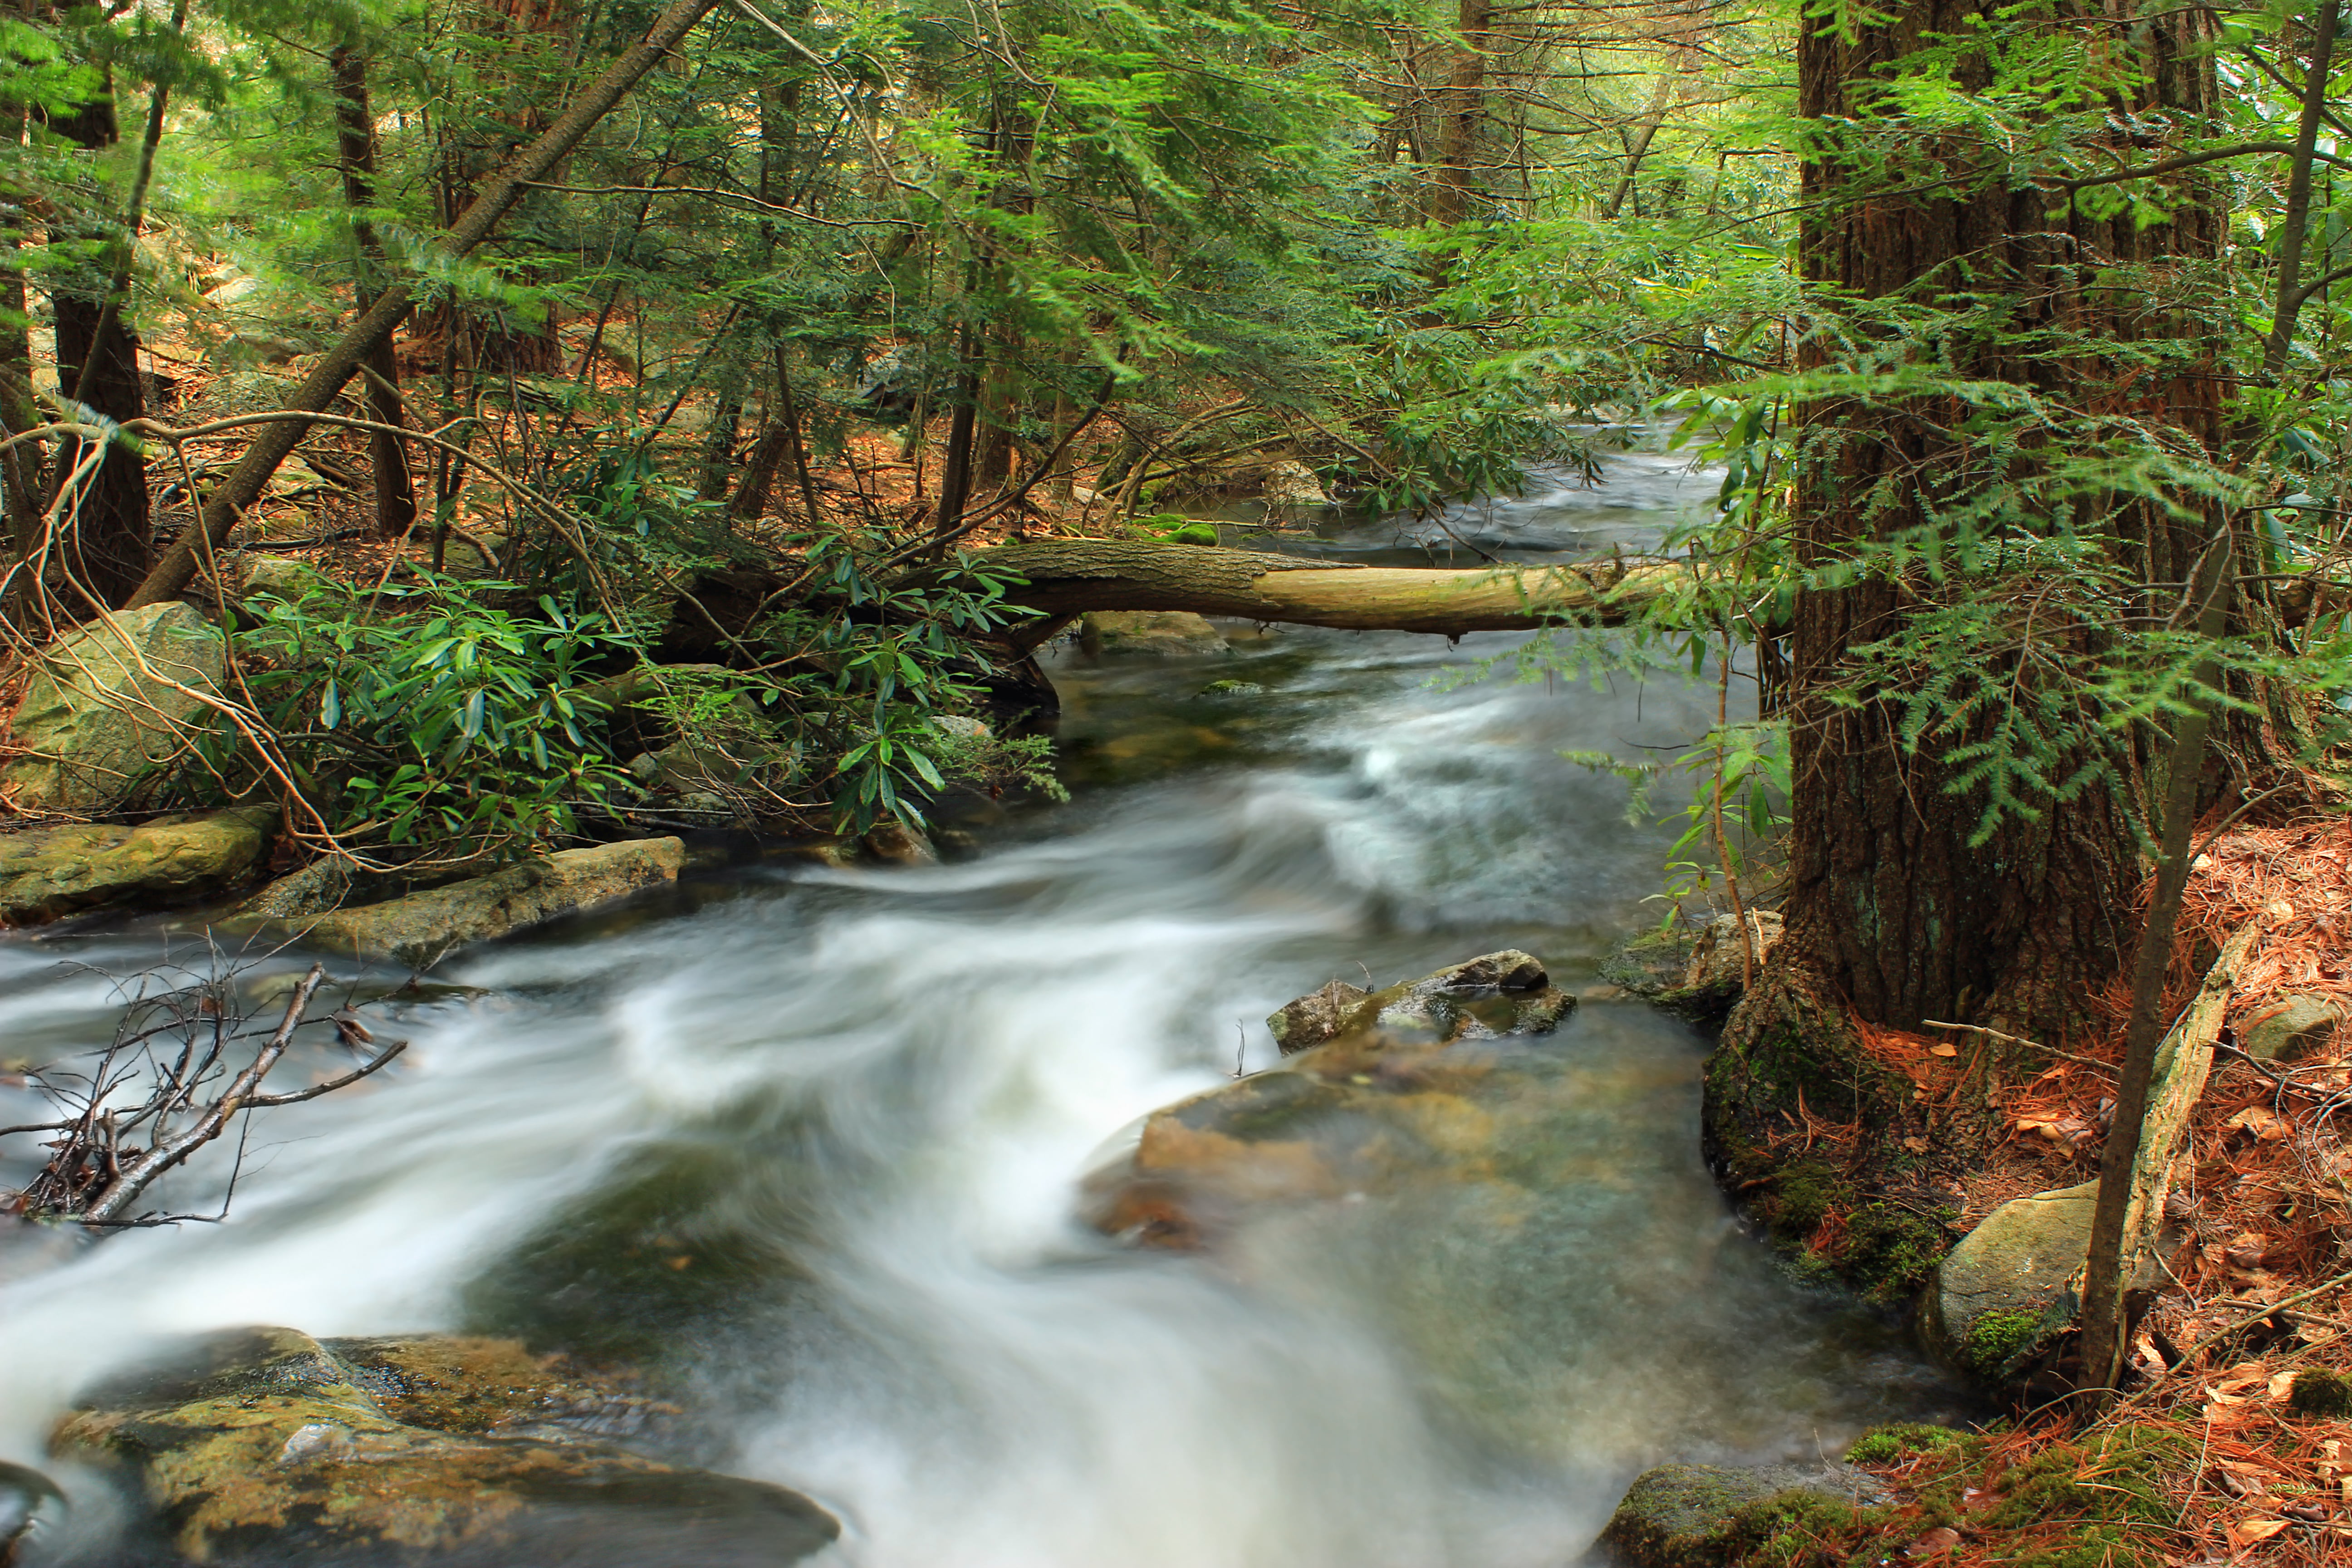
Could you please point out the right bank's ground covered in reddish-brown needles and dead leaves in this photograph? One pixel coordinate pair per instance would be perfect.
(2207, 1459)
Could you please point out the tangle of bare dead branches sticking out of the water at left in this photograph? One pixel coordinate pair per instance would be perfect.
(145, 1108)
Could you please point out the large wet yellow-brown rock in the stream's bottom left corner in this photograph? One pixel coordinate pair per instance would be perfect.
(272, 1447)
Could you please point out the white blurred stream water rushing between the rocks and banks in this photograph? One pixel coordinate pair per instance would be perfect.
(808, 1144)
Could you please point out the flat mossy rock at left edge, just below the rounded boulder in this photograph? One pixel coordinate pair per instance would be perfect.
(60, 871)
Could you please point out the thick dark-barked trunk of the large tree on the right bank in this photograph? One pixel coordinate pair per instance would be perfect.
(1892, 906)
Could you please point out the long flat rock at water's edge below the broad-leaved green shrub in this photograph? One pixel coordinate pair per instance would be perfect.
(422, 927)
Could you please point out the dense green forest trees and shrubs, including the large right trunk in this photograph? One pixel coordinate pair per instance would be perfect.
(719, 344)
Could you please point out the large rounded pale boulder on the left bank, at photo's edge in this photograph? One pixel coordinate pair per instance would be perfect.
(112, 706)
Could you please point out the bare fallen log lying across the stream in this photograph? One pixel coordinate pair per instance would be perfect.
(1078, 575)
